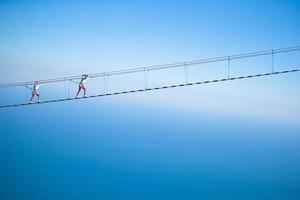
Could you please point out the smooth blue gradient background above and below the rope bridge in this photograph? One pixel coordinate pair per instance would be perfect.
(233, 140)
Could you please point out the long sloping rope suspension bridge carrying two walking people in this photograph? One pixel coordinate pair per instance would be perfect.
(222, 64)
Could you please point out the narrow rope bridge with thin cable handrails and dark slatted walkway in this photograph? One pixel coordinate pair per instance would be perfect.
(145, 70)
